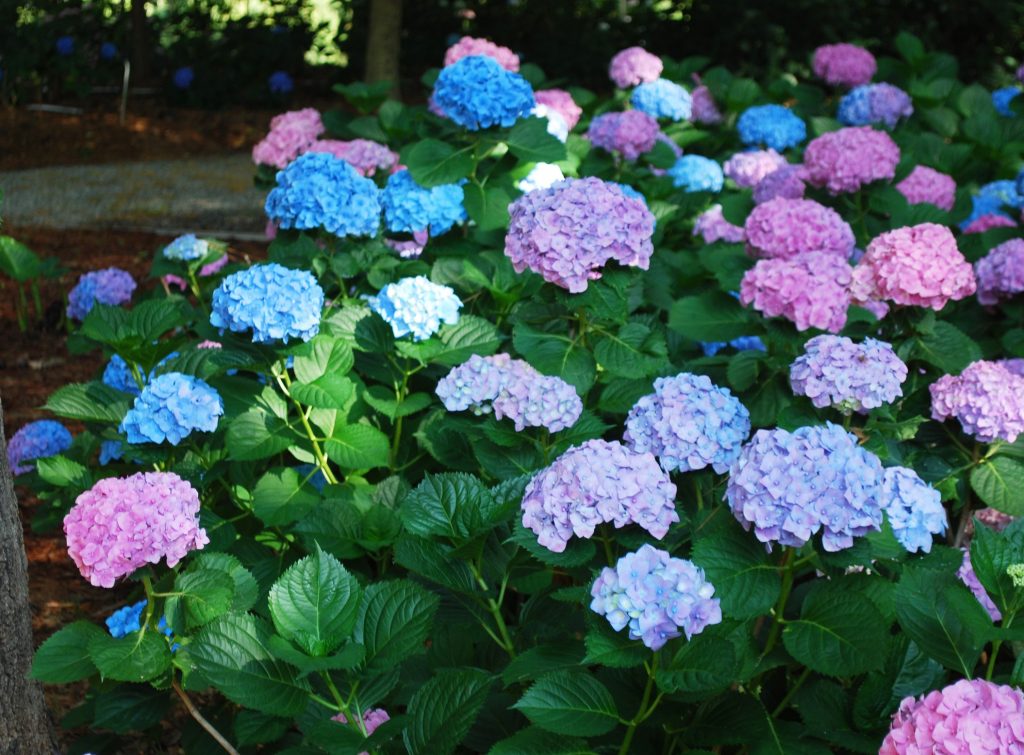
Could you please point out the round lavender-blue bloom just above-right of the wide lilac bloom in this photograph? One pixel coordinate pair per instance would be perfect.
(689, 424)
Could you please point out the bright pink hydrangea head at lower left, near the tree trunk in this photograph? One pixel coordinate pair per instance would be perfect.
(122, 524)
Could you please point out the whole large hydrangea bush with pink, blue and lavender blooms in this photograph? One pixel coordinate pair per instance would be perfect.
(696, 432)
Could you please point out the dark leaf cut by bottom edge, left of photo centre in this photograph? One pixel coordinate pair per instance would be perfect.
(443, 711)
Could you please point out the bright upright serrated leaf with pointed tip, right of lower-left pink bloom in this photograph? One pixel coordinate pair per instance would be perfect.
(315, 604)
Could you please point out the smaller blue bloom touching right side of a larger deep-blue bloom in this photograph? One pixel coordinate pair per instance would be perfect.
(411, 208)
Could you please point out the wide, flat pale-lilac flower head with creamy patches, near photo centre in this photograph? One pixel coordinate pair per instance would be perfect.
(511, 389)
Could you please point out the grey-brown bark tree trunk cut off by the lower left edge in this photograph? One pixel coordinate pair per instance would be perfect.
(26, 728)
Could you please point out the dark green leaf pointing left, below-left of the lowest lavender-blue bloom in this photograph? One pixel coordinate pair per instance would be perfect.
(570, 703)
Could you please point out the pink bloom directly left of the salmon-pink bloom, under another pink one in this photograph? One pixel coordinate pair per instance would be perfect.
(812, 289)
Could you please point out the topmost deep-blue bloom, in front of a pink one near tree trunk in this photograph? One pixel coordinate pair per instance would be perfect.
(477, 93)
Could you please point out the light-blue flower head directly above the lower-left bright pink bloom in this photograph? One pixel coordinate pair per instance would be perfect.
(170, 408)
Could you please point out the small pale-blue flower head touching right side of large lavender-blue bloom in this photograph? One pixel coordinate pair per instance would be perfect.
(914, 508)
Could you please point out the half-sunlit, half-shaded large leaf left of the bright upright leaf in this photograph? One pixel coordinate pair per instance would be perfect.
(232, 653)
